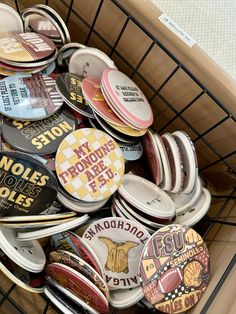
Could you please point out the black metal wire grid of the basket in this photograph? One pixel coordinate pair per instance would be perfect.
(112, 47)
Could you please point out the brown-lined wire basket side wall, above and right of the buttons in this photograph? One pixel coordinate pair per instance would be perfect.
(178, 98)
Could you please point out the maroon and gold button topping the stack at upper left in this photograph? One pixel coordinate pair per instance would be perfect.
(25, 47)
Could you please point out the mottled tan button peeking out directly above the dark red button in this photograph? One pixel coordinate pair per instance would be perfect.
(81, 266)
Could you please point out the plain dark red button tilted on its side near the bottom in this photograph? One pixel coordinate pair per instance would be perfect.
(72, 280)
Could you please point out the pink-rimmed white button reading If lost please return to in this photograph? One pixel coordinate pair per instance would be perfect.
(127, 98)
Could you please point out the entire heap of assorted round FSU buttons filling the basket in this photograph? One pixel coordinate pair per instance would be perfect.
(70, 122)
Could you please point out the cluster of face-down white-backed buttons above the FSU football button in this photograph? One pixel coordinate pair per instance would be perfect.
(176, 193)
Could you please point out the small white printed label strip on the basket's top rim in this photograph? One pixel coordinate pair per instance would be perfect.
(177, 30)
